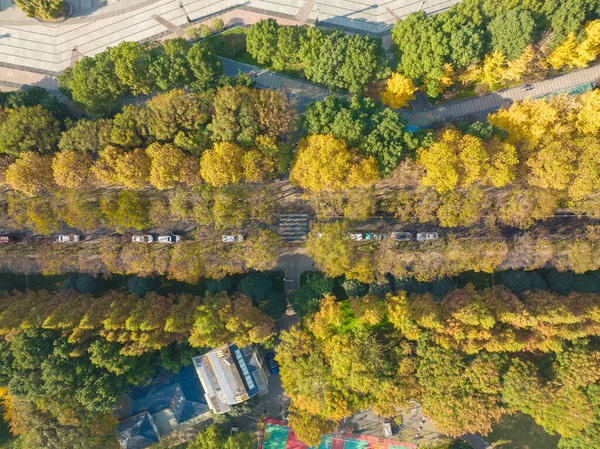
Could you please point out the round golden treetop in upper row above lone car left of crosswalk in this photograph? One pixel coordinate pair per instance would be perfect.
(223, 164)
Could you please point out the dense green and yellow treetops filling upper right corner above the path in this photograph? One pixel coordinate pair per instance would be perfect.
(496, 43)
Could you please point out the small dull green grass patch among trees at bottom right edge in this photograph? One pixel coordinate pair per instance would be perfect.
(520, 432)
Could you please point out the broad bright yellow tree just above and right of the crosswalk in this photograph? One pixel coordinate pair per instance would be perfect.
(324, 164)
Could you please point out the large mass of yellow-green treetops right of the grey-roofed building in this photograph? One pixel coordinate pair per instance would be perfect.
(468, 360)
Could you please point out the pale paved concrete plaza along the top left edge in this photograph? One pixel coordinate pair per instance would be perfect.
(30, 45)
